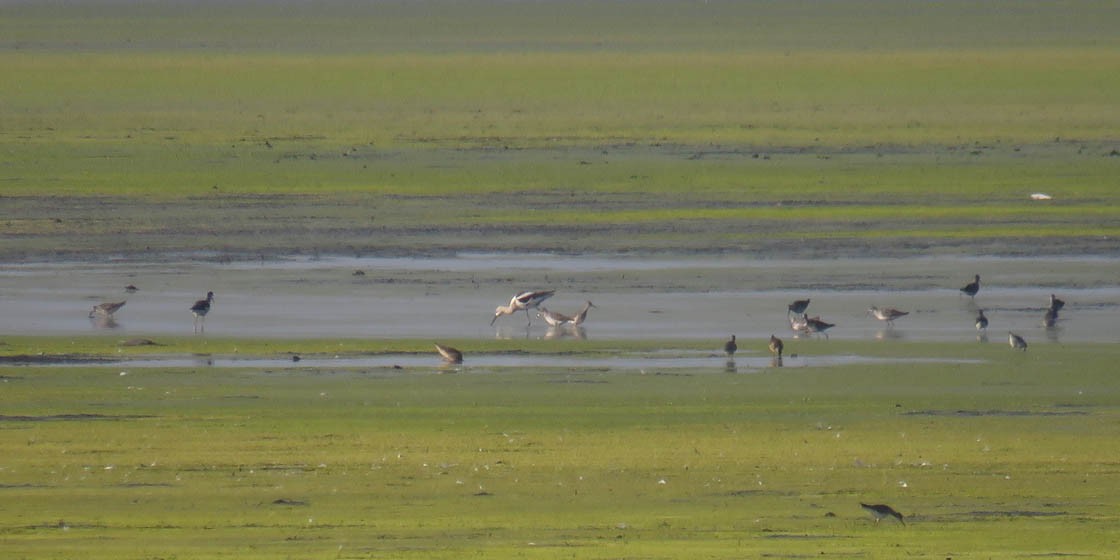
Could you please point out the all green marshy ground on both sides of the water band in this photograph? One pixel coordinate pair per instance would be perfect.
(869, 128)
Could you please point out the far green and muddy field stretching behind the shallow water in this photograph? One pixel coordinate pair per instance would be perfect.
(405, 128)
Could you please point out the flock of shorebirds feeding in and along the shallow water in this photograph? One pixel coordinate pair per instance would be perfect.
(800, 322)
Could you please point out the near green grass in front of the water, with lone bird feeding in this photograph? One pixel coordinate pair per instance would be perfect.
(1007, 458)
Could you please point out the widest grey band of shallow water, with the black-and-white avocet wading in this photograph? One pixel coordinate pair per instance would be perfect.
(636, 298)
